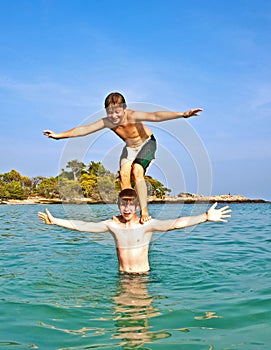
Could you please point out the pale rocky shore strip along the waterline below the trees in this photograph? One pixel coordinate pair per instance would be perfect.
(186, 198)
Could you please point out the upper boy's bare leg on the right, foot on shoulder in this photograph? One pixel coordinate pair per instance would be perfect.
(141, 189)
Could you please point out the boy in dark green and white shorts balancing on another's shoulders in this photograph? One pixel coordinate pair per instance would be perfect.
(140, 142)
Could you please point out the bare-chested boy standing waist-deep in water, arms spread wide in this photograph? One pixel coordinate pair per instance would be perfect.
(132, 239)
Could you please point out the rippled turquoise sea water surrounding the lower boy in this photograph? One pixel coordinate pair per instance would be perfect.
(209, 287)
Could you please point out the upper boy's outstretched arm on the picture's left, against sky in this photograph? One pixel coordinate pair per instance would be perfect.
(76, 132)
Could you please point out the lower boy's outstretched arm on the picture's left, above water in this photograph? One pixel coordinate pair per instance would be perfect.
(78, 225)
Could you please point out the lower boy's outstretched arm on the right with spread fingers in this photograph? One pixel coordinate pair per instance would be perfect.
(215, 215)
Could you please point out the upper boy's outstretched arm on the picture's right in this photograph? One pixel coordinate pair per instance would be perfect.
(164, 115)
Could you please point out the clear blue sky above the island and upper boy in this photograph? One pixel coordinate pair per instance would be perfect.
(59, 60)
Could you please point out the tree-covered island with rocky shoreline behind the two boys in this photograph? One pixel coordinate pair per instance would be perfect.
(92, 184)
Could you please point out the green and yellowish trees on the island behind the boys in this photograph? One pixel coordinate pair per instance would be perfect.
(77, 181)
